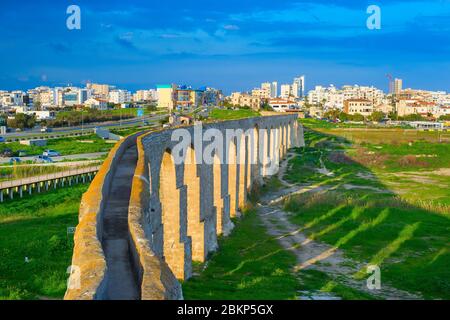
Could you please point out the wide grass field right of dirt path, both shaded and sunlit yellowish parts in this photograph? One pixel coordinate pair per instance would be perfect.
(403, 226)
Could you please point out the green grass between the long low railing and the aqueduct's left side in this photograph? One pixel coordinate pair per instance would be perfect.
(36, 227)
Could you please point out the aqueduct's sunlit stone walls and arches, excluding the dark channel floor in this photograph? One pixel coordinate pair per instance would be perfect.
(177, 210)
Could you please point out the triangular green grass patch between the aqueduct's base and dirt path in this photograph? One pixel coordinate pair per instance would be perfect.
(245, 269)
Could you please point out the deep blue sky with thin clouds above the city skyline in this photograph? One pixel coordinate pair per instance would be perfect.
(233, 44)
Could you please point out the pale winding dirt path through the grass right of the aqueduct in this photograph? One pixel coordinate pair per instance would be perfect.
(312, 254)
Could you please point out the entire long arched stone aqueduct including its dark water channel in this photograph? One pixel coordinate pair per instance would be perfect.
(145, 218)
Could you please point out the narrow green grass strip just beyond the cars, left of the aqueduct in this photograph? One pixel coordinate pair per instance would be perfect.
(66, 146)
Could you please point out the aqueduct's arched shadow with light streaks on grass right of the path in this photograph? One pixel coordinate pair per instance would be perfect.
(354, 211)
